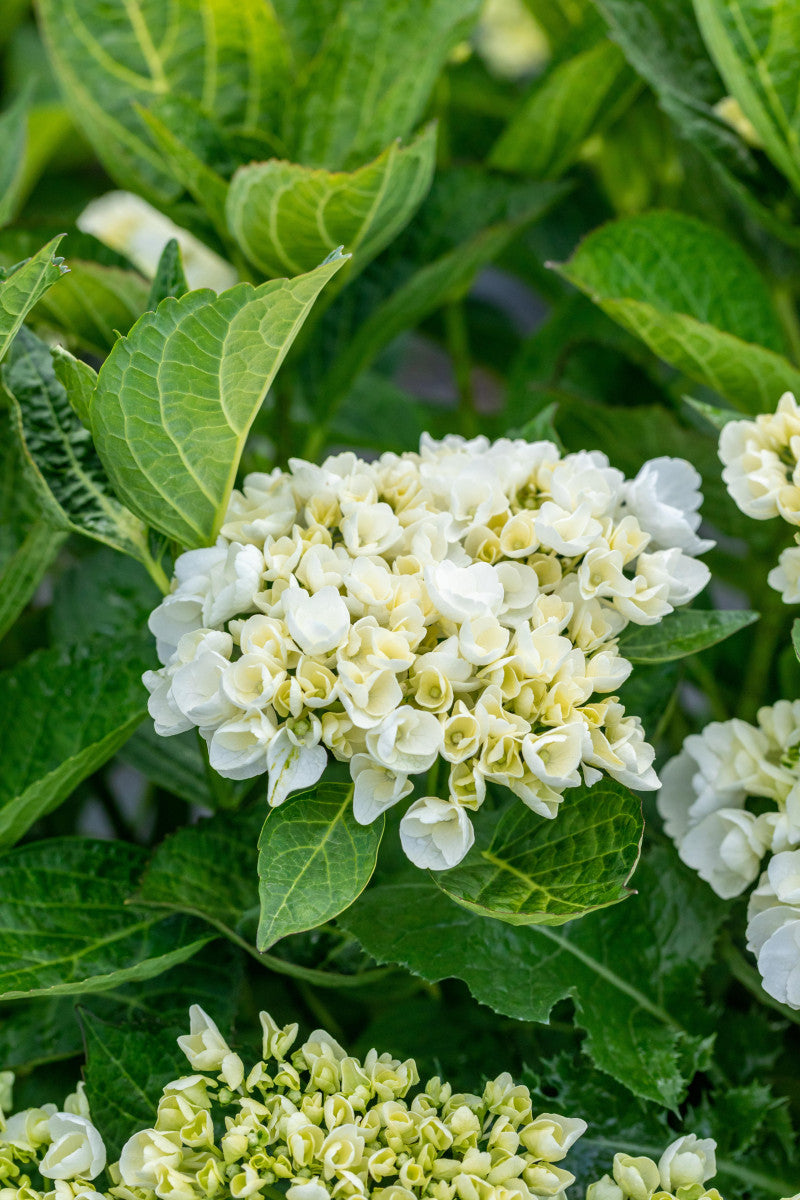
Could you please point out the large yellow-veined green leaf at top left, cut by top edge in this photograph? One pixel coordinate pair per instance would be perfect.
(228, 56)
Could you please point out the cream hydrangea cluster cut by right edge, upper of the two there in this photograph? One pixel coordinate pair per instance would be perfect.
(762, 472)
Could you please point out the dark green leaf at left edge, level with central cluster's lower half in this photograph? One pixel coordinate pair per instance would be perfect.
(77, 706)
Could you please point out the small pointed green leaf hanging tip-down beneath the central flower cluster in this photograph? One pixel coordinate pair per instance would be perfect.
(314, 861)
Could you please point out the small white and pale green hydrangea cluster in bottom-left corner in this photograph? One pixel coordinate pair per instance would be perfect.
(62, 1147)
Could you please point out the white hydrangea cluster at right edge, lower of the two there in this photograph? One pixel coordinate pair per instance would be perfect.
(703, 802)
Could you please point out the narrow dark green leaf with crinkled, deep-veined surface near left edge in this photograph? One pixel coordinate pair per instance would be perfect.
(61, 452)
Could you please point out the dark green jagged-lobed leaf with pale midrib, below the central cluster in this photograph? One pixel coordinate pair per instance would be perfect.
(631, 970)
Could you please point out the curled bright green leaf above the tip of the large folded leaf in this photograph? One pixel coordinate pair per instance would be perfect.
(287, 218)
